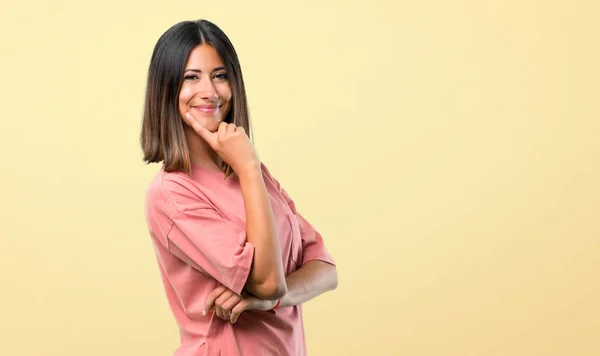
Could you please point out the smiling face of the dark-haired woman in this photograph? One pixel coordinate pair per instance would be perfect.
(205, 91)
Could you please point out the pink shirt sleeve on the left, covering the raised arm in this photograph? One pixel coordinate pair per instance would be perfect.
(203, 238)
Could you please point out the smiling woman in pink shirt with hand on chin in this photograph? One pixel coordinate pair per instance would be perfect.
(236, 259)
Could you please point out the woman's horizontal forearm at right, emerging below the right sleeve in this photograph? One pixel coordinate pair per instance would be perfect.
(311, 280)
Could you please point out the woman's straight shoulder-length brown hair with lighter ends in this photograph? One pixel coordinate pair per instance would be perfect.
(163, 137)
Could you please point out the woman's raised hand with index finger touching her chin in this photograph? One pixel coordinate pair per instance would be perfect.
(230, 142)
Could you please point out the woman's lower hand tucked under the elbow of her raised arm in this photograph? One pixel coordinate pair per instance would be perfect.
(228, 305)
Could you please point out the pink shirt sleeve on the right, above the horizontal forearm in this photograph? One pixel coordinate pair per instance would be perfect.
(313, 245)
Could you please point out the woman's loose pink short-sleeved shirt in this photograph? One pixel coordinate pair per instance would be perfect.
(198, 228)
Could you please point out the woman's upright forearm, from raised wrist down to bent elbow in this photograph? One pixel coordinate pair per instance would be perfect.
(267, 278)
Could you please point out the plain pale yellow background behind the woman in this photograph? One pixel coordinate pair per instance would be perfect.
(447, 150)
